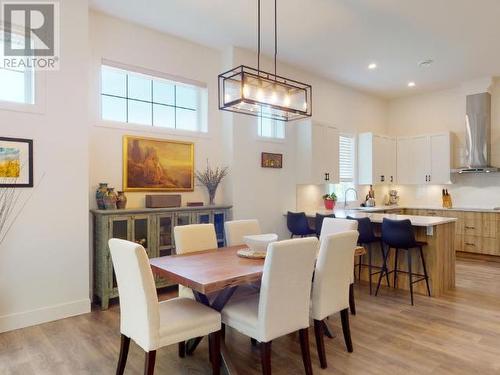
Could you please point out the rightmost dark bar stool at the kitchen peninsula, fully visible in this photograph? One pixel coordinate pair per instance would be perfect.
(398, 234)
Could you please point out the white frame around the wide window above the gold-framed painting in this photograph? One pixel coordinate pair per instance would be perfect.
(202, 130)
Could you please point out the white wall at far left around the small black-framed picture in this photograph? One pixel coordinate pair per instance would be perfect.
(44, 262)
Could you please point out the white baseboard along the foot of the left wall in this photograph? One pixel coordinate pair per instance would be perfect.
(43, 315)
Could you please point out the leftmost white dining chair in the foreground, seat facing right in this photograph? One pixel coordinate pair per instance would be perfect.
(152, 324)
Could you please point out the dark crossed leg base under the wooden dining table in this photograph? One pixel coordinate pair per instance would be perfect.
(218, 304)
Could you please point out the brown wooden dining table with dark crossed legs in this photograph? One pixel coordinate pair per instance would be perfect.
(213, 276)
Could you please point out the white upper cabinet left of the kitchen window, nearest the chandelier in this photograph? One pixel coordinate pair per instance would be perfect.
(317, 154)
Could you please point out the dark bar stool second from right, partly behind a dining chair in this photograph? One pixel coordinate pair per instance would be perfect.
(366, 238)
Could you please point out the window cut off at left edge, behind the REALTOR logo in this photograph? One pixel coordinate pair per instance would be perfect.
(17, 85)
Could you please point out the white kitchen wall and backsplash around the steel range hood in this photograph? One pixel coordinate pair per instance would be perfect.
(445, 111)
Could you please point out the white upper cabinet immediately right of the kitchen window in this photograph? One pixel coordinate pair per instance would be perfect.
(376, 159)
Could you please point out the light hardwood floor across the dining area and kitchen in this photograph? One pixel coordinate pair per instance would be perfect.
(456, 334)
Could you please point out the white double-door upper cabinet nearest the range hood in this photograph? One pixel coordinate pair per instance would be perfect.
(424, 159)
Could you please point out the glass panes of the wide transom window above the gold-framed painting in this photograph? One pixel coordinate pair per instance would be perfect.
(142, 99)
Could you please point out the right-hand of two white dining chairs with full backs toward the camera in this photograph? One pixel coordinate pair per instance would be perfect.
(330, 292)
